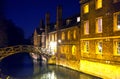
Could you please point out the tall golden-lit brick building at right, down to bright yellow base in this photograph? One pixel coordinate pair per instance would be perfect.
(100, 38)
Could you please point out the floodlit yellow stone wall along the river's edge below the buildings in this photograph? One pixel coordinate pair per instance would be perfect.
(102, 70)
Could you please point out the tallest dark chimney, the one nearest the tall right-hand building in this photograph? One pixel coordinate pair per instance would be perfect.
(59, 17)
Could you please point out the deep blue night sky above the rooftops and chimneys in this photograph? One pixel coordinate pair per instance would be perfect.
(28, 13)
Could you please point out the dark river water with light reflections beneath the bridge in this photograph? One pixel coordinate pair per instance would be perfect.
(22, 66)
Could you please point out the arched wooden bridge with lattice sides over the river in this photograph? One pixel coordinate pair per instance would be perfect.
(4, 52)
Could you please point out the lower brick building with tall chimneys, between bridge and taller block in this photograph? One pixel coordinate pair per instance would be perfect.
(64, 37)
